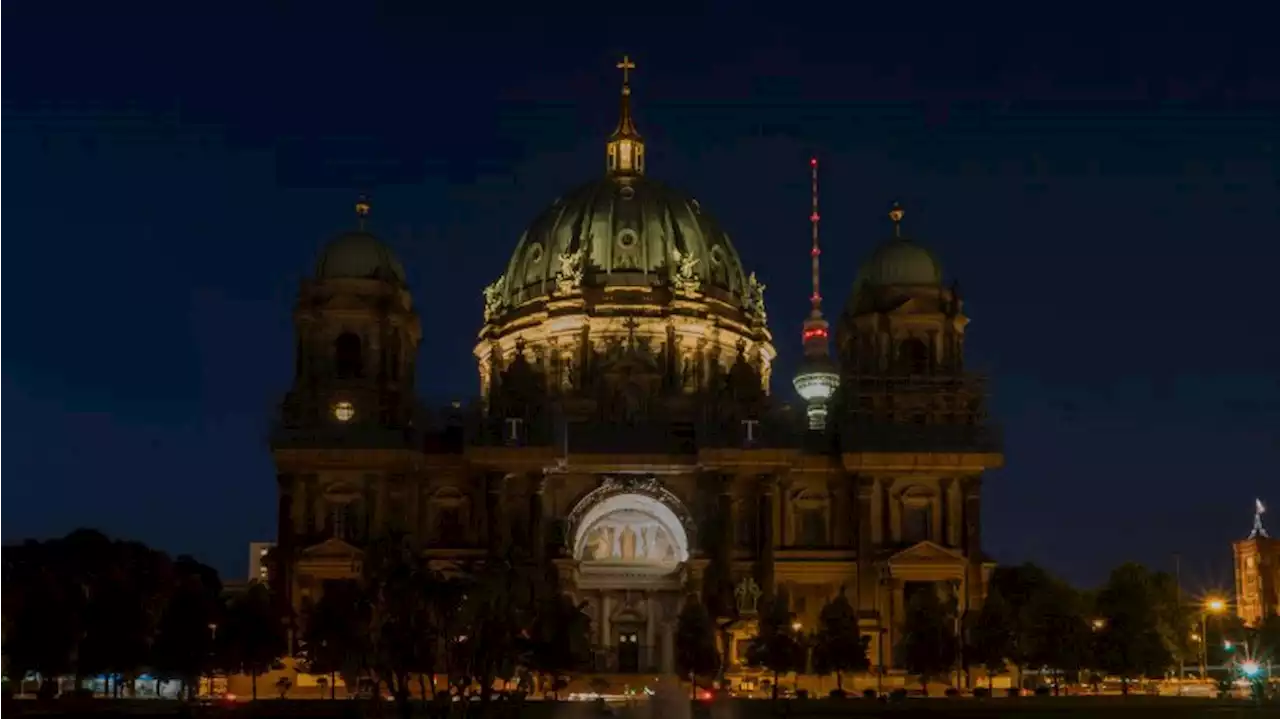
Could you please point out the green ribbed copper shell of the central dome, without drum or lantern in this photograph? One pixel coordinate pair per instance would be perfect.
(625, 231)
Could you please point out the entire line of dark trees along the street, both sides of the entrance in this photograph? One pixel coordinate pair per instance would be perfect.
(86, 606)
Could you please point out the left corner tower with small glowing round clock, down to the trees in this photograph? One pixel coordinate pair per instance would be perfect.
(345, 445)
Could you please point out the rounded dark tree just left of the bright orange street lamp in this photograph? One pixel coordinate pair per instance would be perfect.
(1131, 644)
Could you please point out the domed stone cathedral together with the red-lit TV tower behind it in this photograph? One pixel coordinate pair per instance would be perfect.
(629, 433)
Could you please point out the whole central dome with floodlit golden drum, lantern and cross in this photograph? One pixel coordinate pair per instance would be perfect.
(625, 267)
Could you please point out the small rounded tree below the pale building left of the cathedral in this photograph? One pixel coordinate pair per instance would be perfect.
(252, 640)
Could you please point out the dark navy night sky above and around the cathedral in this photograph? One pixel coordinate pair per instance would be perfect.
(1105, 190)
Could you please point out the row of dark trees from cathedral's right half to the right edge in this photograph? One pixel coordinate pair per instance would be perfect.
(1137, 626)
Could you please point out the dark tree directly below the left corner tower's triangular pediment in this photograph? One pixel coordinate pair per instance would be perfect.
(333, 639)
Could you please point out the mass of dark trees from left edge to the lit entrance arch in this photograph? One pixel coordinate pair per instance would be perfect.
(88, 607)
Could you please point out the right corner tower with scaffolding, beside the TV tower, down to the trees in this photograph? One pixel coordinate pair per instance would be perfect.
(915, 436)
